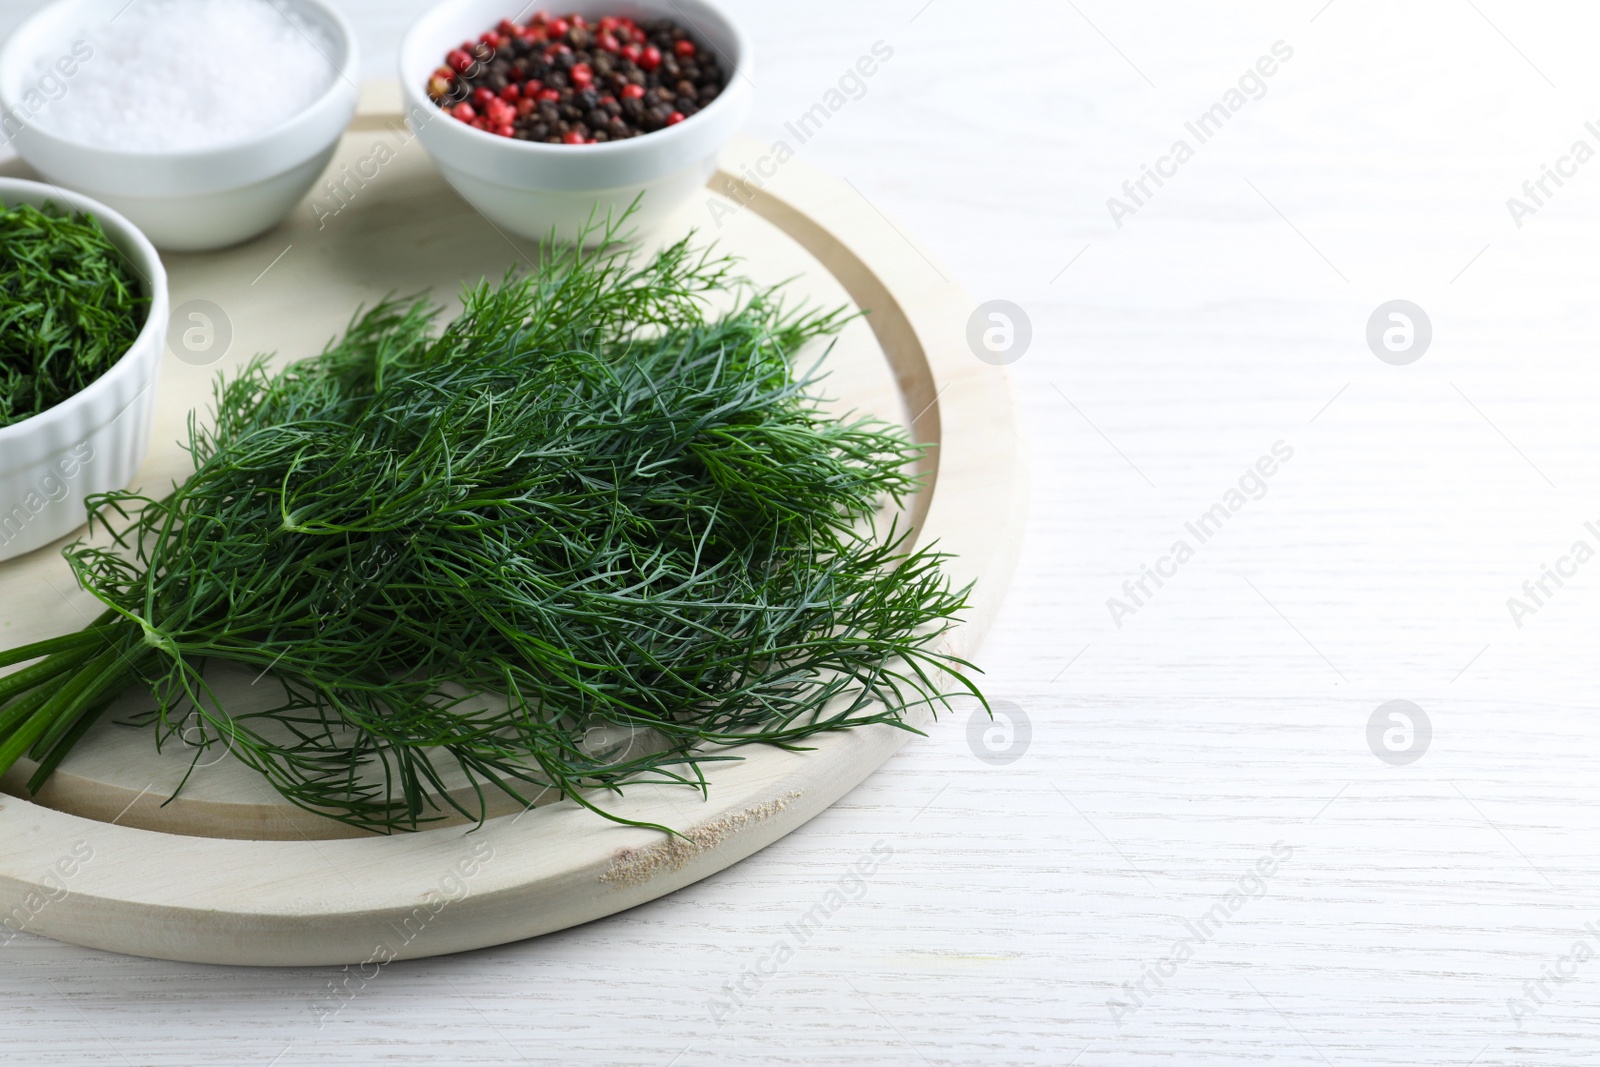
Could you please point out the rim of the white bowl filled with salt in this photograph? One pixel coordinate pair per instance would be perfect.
(340, 86)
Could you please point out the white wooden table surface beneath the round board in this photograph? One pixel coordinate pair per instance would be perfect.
(1412, 909)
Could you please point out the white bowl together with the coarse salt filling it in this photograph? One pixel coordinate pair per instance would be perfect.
(204, 122)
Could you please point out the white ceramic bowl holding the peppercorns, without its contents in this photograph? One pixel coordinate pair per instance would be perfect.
(532, 190)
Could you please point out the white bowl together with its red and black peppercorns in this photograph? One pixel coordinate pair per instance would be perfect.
(551, 124)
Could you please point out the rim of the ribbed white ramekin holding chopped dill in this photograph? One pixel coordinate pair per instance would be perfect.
(151, 334)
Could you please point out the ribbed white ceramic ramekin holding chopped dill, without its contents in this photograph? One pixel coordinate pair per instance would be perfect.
(94, 441)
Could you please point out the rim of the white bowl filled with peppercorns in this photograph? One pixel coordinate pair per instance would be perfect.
(658, 138)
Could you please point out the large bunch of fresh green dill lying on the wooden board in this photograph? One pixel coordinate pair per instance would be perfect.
(590, 502)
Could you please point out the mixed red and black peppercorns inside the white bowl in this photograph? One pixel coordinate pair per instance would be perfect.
(569, 81)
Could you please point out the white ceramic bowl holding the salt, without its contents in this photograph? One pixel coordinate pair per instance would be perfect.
(183, 201)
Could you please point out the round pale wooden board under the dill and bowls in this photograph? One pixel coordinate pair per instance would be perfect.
(226, 871)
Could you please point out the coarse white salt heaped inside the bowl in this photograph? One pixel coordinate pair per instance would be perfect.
(191, 74)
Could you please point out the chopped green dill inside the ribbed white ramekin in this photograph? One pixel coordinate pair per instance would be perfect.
(70, 308)
